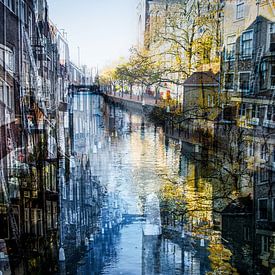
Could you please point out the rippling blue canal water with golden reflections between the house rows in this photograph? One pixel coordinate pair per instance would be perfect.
(133, 159)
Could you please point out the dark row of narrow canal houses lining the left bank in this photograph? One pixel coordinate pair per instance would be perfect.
(39, 172)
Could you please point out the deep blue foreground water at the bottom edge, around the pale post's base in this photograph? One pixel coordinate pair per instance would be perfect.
(125, 250)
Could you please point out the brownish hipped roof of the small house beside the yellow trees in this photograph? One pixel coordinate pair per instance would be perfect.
(207, 78)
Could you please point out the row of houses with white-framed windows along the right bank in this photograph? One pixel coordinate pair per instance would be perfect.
(228, 101)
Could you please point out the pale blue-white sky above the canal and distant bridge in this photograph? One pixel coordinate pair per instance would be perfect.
(104, 30)
